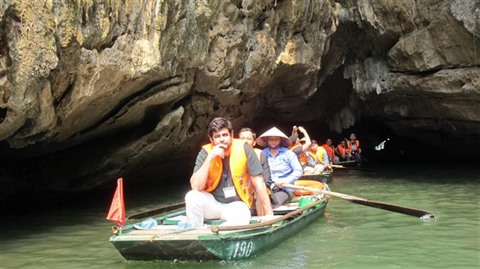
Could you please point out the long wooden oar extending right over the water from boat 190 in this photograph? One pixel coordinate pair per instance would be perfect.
(362, 201)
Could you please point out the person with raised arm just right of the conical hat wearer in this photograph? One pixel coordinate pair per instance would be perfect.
(300, 147)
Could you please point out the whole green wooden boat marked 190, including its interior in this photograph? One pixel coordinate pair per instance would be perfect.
(170, 241)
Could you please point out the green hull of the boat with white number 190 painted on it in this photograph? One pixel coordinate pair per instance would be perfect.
(205, 245)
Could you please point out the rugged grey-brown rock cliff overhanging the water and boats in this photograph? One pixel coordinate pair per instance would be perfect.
(91, 90)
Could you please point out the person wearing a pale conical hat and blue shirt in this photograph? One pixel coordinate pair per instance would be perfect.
(283, 163)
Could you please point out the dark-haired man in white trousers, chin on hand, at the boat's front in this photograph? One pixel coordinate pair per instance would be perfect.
(226, 174)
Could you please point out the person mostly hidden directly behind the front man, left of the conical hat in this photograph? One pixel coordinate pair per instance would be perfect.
(249, 136)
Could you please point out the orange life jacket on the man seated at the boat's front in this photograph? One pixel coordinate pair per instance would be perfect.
(238, 168)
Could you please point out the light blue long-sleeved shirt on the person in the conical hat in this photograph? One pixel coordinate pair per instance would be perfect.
(284, 167)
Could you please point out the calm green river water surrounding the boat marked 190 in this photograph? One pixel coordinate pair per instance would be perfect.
(351, 236)
